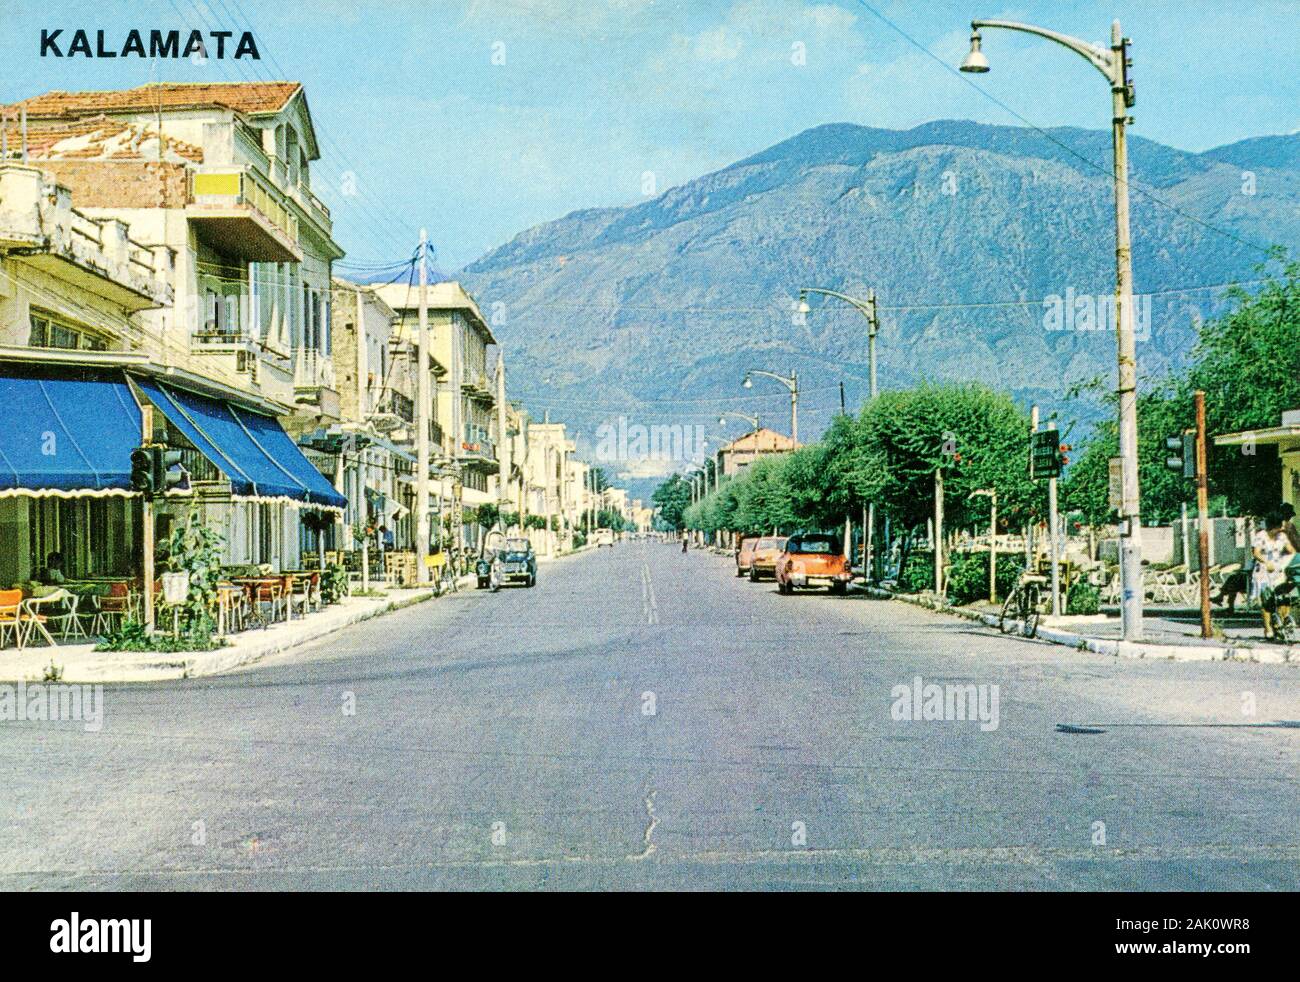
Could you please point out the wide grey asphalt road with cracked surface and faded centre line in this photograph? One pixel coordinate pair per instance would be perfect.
(644, 720)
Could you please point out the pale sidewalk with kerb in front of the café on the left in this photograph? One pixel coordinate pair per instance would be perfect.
(83, 664)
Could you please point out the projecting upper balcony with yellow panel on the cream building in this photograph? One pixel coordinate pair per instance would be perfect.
(242, 215)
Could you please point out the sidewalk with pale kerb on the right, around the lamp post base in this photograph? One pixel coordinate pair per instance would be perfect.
(1172, 633)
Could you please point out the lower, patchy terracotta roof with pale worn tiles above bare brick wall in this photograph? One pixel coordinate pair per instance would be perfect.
(97, 139)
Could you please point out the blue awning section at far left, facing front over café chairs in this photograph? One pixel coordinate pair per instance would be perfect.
(68, 432)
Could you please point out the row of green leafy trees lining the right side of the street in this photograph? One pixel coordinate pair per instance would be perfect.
(1247, 361)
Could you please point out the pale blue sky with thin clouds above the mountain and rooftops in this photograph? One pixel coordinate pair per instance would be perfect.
(484, 118)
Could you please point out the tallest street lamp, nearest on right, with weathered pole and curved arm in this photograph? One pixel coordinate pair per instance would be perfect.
(1115, 66)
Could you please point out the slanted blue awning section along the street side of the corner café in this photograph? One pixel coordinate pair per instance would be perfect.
(250, 449)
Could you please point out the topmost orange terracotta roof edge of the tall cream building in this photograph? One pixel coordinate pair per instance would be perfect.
(249, 98)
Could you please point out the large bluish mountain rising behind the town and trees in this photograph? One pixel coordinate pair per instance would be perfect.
(972, 236)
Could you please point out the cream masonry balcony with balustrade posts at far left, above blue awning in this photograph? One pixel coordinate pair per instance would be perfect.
(38, 222)
